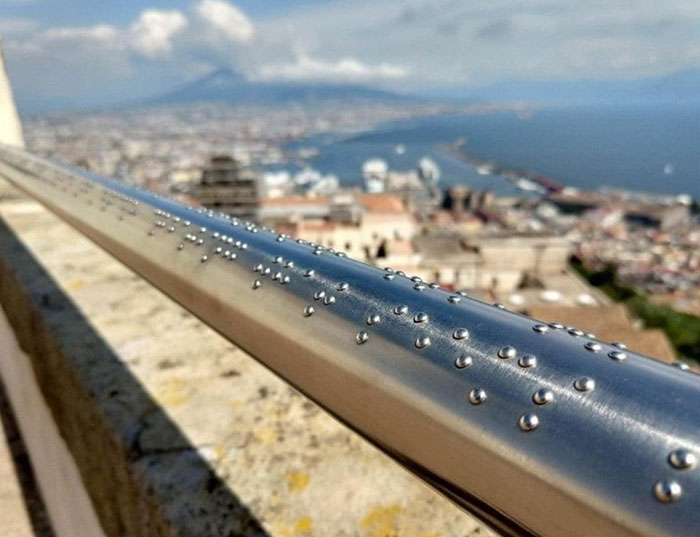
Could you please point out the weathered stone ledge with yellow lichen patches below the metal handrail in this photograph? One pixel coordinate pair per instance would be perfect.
(172, 429)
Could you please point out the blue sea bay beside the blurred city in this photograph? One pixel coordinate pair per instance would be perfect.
(643, 149)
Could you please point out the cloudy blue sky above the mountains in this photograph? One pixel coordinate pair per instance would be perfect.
(100, 51)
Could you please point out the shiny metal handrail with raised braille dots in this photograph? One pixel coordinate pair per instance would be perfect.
(537, 428)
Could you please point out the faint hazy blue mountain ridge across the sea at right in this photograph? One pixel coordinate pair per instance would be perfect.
(682, 87)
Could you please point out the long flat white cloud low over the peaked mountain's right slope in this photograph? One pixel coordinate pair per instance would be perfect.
(345, 69)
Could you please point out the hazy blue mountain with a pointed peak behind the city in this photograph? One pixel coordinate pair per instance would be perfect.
(229, 86)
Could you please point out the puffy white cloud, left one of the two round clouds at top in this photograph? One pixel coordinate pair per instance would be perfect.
(152, 33)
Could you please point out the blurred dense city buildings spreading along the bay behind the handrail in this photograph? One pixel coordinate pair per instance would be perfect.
(514, 250)
